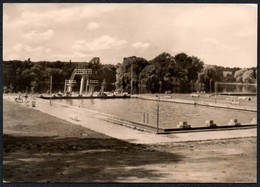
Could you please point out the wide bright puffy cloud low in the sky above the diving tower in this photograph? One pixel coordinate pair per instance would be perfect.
(104, 42)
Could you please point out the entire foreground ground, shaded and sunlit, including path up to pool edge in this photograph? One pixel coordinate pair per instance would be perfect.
(39, 147)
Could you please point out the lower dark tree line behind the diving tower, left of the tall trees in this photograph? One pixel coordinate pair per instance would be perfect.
(27, 76)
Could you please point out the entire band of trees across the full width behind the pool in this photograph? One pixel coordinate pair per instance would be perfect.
(165, 73)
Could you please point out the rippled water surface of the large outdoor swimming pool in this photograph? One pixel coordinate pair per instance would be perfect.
(170, 113)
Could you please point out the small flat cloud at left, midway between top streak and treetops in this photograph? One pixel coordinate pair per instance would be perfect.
(35, 36)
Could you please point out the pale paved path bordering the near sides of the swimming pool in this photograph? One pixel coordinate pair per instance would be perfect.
(128, 134)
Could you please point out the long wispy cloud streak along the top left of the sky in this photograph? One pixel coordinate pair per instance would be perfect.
(41, 15)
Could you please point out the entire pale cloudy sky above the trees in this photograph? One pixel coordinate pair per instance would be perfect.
(218, 34)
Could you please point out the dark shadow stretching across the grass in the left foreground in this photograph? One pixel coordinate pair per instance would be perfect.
(71, 159)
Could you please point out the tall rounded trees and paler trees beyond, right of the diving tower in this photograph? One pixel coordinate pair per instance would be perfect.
(180, 73)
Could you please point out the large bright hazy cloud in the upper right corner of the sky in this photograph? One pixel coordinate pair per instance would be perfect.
(214, 16)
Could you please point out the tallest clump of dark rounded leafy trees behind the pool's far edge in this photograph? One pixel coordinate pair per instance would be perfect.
(177, 73)
